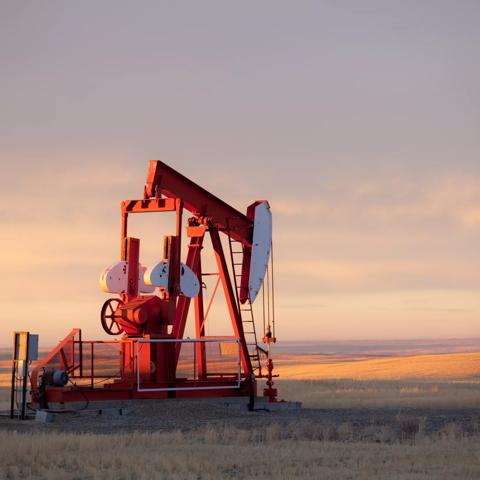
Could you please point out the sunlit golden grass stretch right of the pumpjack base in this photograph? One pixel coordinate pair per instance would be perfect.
(420, 381)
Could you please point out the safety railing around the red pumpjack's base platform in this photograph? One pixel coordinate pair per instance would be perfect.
(185, 364)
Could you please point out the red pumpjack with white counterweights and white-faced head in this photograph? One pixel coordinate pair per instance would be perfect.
(148, 315)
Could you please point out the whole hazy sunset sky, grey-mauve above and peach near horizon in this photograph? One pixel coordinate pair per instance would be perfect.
(358, 121)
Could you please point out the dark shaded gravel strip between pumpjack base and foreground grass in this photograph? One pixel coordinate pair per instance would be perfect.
(194, 414)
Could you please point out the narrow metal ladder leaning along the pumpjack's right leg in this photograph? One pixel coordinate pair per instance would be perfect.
(246, 309)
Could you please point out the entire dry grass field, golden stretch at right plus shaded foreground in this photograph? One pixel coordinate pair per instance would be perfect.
(312, 446)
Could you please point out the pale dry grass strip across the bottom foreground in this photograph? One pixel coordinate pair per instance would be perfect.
(223, 452)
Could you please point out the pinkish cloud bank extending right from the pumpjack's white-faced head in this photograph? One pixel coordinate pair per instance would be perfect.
(383, 201)
